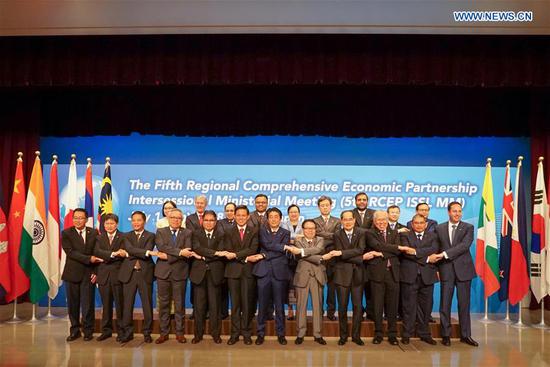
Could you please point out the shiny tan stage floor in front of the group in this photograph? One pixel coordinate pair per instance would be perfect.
(43, 344)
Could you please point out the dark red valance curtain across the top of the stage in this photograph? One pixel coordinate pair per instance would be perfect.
(440, 60)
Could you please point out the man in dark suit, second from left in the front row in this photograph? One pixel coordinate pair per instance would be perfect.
(110, 247)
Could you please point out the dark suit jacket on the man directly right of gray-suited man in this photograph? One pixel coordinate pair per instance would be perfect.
(348, 268)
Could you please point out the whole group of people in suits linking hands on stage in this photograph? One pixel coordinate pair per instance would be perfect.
(364, 253)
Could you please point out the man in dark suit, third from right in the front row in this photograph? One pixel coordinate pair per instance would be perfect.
(383, 275)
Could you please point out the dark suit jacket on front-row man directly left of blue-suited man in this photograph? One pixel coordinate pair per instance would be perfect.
(248, 246)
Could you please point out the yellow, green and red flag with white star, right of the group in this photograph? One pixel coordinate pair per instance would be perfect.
(486, 244)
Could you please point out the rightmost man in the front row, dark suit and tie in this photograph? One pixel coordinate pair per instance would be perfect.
(456, 269)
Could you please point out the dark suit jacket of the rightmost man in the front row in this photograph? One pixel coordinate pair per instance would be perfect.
(460, 261)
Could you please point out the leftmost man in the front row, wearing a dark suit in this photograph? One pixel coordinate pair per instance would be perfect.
(78, 243)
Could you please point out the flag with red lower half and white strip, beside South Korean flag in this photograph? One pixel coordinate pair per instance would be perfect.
(519, 271)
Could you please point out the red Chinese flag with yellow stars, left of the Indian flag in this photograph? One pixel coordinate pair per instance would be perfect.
(19, 279)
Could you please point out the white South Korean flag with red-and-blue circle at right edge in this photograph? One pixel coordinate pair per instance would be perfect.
(538, 239)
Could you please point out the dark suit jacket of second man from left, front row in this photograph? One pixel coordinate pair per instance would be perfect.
(109, 269)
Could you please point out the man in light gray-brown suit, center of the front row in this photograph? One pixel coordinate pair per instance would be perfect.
(309, 278)
